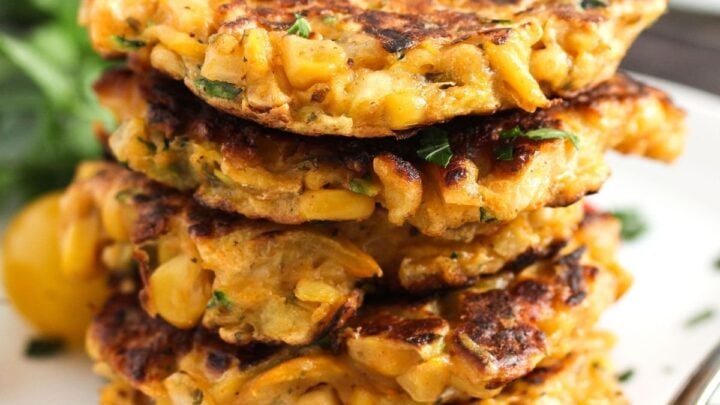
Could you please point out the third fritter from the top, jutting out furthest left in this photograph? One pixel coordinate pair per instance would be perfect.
(259, 281)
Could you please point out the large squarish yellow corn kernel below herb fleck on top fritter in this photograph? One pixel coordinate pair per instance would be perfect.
(307, 62)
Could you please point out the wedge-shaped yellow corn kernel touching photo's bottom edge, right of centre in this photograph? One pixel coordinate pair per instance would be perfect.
(426, 381)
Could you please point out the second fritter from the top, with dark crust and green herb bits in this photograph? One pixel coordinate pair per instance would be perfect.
(493, 176)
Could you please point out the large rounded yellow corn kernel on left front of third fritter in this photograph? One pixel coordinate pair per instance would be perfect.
(180, 290)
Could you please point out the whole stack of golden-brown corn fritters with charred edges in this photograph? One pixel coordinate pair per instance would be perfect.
(264, 250)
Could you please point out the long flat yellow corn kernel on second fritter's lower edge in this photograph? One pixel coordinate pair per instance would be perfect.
(335, 205)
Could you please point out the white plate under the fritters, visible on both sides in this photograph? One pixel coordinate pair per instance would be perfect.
(672, 264)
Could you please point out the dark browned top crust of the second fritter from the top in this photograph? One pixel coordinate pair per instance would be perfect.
(174, 111)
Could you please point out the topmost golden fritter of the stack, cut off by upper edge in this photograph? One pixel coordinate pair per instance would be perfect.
(372, 68)
